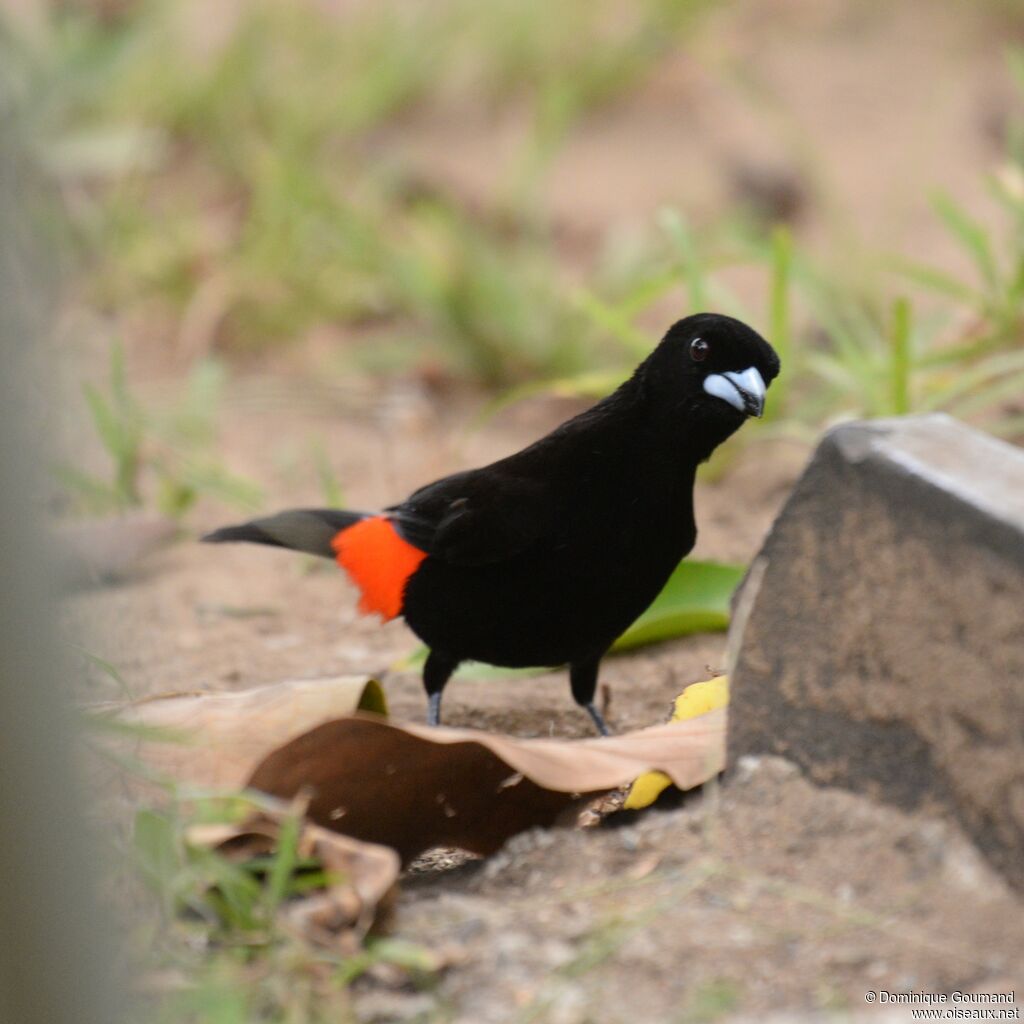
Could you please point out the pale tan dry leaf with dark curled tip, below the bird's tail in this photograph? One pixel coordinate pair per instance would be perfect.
(223, 736)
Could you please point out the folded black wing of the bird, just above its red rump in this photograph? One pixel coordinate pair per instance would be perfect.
(477, 519)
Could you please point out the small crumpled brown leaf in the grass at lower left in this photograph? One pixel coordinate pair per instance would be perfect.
(362, 876)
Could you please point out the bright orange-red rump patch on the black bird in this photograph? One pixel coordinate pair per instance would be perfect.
(379, 563)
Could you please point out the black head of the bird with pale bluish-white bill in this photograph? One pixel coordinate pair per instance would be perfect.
(714, 368)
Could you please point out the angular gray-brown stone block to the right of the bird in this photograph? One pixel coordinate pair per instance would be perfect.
(879, 636)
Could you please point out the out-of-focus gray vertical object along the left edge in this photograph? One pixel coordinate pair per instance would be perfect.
(56, 944)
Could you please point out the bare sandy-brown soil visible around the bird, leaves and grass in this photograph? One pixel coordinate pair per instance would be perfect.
(765, 893)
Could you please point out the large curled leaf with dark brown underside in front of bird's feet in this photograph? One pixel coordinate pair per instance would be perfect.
(415, 788)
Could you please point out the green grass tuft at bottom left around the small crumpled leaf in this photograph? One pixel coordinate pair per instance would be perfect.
(217, 922)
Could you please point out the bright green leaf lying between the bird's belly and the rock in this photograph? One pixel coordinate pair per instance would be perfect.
(695, 601)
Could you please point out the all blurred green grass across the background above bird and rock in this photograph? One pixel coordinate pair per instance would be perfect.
(234, 182)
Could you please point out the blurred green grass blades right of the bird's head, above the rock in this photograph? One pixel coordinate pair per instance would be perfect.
(856, 350)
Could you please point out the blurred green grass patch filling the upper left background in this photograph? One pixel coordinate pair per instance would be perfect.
(241, 187)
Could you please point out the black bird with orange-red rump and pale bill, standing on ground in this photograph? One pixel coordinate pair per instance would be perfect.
(547, 557)
